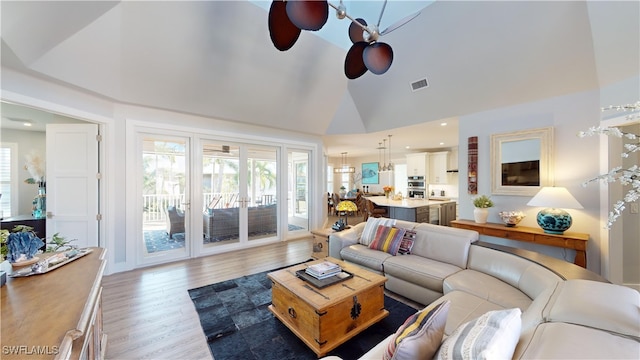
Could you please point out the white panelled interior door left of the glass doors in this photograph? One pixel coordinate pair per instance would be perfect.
(72, 183)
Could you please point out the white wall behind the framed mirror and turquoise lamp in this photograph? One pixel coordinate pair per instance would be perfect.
(575, 160)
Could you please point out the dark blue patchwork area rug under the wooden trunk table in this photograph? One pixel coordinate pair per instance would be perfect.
(238, 324)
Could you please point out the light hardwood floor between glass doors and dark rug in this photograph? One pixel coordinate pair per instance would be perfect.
(148, 313)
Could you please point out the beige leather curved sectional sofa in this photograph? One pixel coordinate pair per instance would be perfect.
(562, 316)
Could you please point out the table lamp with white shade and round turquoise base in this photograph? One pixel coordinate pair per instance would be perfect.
(553, 219)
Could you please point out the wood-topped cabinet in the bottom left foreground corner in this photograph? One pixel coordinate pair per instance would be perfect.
(57, 315)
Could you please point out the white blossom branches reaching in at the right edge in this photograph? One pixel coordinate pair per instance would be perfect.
(626, 177)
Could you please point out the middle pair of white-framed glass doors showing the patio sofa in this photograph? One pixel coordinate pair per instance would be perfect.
(239, 190)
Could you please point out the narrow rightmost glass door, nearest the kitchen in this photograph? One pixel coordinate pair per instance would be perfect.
(298, 185)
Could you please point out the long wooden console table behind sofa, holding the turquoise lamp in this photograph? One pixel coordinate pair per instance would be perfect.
(568, 240)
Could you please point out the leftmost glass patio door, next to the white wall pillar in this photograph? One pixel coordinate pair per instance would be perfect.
(165, 199)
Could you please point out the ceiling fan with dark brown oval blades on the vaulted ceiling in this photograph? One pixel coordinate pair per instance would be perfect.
(287, 18)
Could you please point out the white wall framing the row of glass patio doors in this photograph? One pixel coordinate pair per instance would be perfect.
(25, 90)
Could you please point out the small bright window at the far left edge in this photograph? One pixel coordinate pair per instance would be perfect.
(8, 179)
